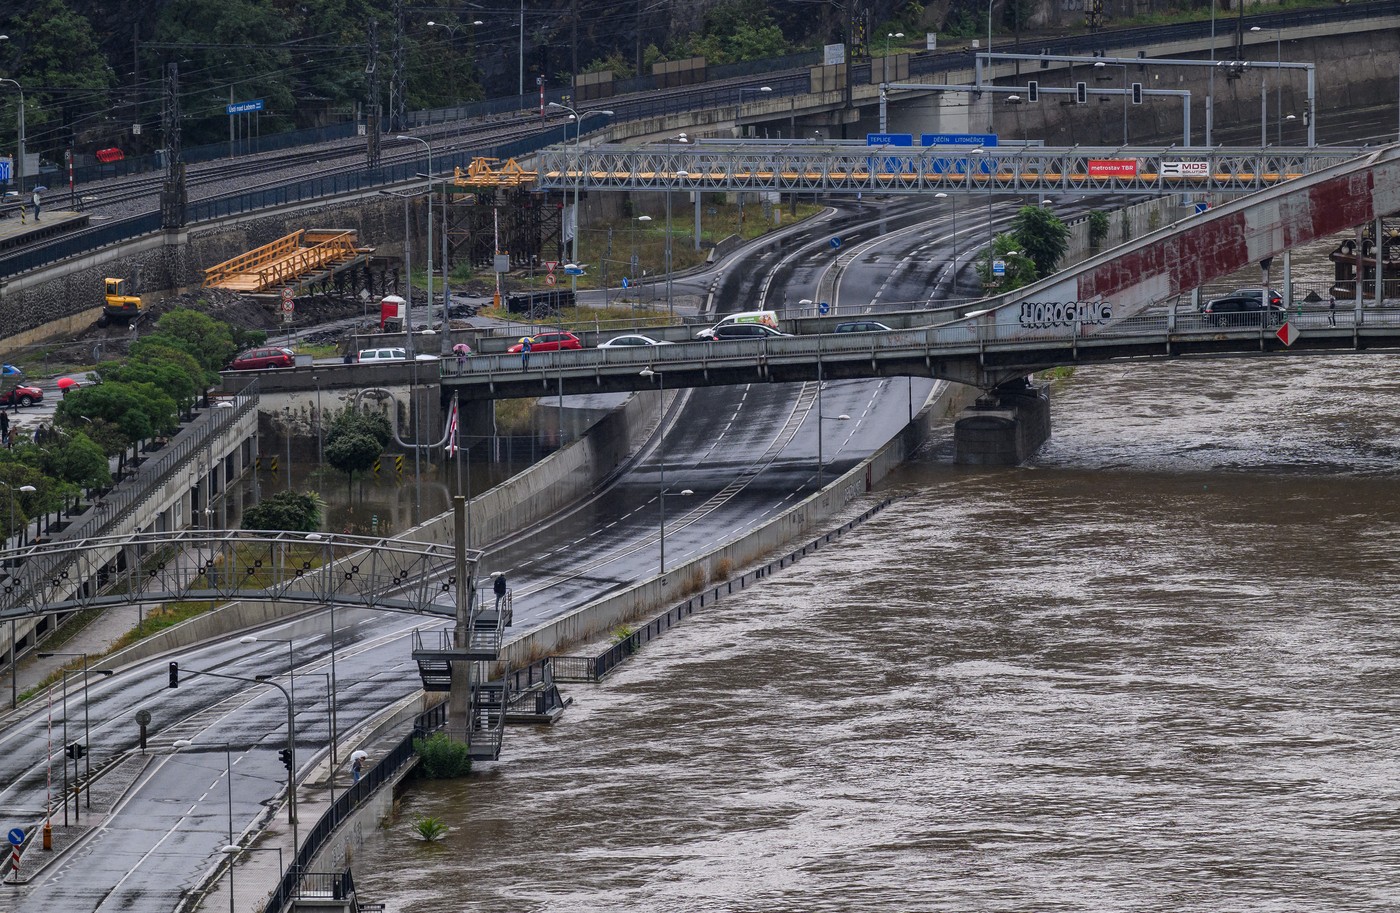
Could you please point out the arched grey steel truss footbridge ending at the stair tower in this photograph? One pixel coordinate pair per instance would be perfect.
(227, 565)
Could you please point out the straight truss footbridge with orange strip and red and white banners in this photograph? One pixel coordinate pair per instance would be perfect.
(849, 169)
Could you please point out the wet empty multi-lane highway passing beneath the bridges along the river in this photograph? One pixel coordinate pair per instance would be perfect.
(745, 454)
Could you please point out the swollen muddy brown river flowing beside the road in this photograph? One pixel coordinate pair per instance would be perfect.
(1153, 670)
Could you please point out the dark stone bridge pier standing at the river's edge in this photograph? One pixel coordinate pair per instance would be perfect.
(1004, 428)
